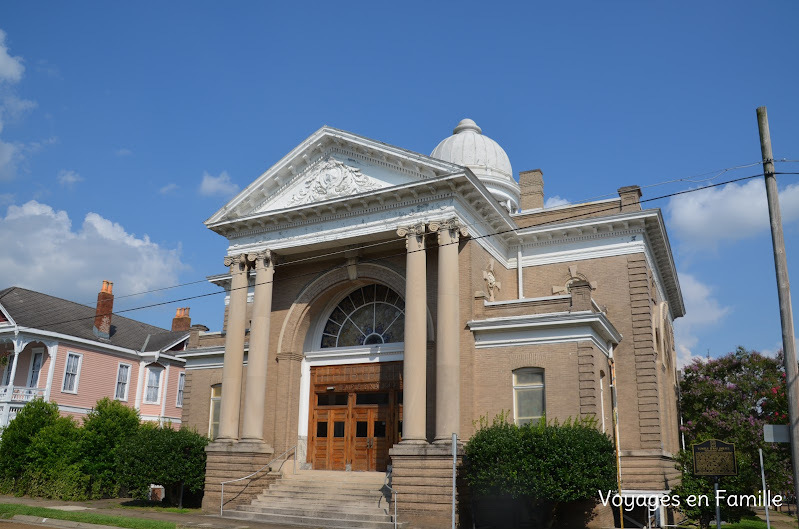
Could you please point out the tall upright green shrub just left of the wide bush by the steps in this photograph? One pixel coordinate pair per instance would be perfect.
(106, 428)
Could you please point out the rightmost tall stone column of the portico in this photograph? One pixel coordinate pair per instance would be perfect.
(448, 331)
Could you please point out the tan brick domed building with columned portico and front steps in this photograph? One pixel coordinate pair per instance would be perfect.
(381, 300)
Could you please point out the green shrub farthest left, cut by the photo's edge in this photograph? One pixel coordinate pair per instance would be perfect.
(19, 433)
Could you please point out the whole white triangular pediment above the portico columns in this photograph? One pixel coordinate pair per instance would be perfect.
(331, 164)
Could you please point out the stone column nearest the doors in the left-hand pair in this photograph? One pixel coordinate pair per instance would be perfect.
(255, 389)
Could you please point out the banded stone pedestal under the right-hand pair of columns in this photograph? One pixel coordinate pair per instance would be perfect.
(422, 477)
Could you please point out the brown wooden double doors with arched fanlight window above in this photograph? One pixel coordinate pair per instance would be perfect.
(355, 409)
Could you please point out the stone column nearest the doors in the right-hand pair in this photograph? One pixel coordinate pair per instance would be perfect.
(414, 373)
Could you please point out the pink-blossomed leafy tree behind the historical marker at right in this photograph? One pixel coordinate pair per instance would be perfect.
(731, 398)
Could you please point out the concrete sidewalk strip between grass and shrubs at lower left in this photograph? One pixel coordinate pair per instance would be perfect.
(113, 507)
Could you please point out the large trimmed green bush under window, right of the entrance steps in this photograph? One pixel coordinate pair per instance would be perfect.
(548, 464)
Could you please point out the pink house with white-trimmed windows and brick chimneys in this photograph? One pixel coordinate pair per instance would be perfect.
(74, 355)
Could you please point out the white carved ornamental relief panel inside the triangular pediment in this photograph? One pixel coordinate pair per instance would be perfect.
(329, 179)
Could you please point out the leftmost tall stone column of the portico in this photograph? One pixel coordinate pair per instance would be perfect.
(234, 349)
